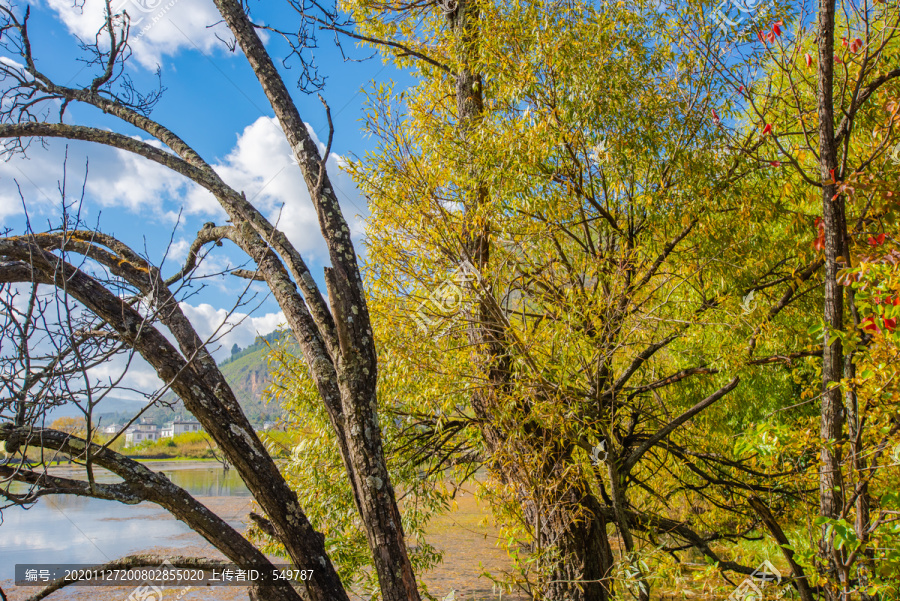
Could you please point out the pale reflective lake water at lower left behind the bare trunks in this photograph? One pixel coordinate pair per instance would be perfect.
(68, 529)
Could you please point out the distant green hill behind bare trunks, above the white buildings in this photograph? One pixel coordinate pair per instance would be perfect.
(246, 371)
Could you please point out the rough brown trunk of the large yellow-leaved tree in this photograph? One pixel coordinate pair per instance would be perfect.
(574, 526)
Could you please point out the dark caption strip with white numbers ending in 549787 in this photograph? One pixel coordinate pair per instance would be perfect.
(165, 575)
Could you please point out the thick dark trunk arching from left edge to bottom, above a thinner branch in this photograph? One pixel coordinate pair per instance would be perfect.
(206, 395)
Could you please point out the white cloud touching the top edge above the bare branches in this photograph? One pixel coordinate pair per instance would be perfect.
(158, 27)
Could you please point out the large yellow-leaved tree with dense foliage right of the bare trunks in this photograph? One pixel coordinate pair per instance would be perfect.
(582, 288)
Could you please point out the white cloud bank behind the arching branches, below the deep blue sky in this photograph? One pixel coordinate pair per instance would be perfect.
(261, 165)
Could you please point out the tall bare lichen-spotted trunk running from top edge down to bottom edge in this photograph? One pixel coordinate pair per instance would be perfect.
(354, 357)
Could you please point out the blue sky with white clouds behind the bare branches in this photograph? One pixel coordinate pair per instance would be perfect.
(212, 101)
